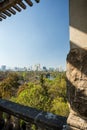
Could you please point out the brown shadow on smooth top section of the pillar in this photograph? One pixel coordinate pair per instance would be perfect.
(79, 15)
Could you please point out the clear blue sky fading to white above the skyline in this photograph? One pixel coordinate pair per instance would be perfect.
(39, 34)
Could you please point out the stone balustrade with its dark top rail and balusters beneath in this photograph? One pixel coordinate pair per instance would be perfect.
(15, 113)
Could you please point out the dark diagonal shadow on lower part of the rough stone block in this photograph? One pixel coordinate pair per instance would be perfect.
(77, 98)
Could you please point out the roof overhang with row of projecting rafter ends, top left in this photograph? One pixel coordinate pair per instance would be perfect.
(9, 7)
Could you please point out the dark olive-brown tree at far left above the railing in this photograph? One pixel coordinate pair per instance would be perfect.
(9, 85)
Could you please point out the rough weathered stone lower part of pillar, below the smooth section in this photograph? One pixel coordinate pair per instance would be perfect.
(77, 87)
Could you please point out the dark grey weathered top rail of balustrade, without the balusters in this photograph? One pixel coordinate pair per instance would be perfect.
(42, 119)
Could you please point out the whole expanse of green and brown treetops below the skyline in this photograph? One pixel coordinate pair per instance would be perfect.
(42, 90)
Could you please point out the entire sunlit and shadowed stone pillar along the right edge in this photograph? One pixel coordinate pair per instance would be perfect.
(77, 66)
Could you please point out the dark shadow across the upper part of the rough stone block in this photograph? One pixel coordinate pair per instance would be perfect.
(78, 58)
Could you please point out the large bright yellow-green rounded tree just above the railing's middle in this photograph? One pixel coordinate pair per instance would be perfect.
(34, 97)
